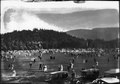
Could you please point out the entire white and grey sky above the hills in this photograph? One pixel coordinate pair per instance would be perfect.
(59, 16)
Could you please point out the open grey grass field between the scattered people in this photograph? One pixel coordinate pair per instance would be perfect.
(21, 64)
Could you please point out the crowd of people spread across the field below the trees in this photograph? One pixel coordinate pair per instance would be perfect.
(10, 57)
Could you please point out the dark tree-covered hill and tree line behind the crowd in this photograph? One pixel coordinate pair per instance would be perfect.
(47, 39)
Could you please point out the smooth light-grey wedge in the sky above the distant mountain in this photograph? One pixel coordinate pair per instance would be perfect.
(83, 19)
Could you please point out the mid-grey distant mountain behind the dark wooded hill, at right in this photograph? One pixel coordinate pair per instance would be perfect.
(106, 34)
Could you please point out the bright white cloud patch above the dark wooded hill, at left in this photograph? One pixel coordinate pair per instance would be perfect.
(20, 20)
